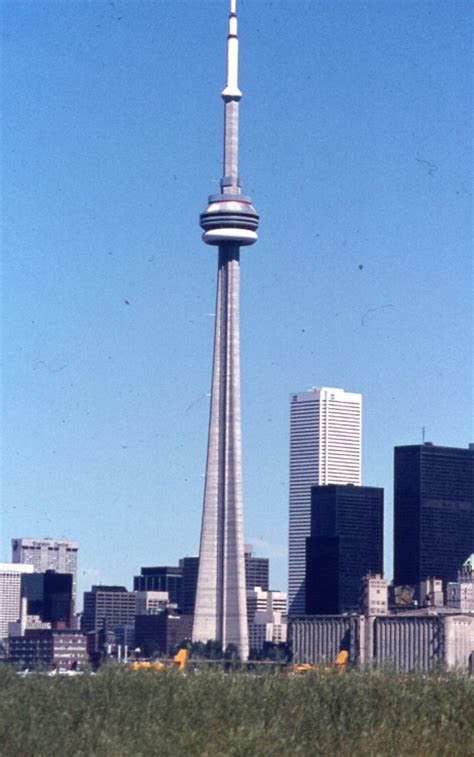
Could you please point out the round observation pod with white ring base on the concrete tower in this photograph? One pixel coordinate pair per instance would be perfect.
(229, 218)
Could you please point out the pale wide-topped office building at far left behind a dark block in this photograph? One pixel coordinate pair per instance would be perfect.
(59, 555)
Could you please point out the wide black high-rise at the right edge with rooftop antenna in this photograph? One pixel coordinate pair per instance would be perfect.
(434, 512)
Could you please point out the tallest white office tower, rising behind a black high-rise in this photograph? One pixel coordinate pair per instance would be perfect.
(325, 448)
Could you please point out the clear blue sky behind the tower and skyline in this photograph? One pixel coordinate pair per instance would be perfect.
(355, 135)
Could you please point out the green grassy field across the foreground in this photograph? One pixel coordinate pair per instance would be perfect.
(119, 712)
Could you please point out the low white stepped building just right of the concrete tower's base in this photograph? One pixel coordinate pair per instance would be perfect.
(267, 619)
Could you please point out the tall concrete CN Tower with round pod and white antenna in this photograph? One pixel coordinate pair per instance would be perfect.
(229, 222)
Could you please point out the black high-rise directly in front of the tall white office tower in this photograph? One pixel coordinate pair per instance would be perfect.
(346, 543)
